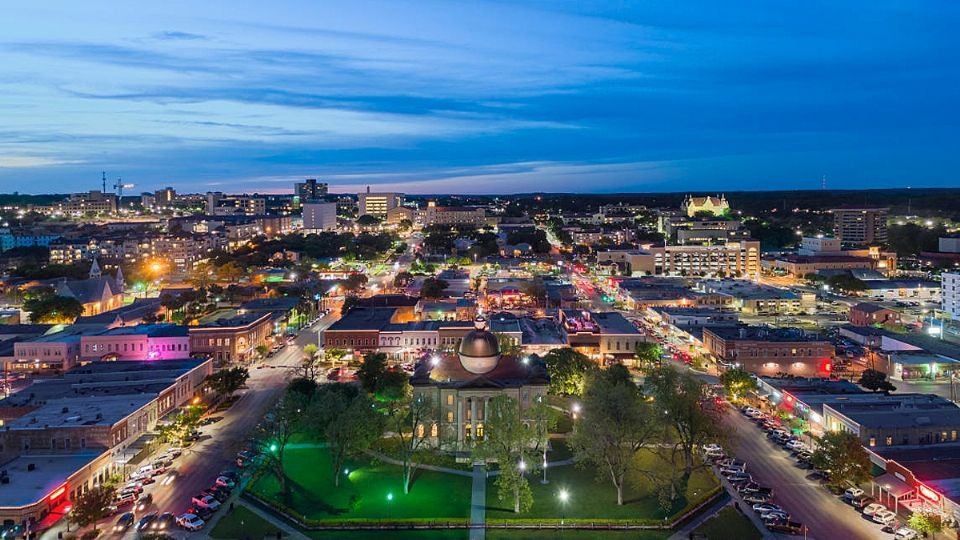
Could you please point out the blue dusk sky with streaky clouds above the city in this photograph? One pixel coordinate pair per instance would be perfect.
(478, 96)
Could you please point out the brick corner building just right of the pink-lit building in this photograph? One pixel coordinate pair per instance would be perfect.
(232, 339)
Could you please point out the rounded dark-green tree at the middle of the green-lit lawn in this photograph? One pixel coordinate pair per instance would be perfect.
(347, 421)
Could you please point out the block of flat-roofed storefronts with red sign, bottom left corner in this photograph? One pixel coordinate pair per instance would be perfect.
(71, 433)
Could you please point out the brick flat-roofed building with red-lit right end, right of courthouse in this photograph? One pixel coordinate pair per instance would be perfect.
(771, 351)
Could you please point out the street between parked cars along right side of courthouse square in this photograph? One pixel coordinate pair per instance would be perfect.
(806, 500)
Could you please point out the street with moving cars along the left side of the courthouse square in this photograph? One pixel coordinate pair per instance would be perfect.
(199, 465)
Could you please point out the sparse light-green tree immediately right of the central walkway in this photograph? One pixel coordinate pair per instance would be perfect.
(507, 439)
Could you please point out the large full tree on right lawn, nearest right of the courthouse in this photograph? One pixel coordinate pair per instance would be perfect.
(616, 423)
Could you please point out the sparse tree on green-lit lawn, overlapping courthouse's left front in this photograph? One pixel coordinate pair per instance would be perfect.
(410, 419)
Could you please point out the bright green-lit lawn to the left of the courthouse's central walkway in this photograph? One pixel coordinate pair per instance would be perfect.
(368, 485)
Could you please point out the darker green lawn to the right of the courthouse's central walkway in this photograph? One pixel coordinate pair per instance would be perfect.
(593, 499)
